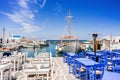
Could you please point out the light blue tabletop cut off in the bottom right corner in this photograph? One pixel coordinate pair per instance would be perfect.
(111, 76)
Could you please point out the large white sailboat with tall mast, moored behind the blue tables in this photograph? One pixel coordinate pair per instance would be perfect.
(69, 43)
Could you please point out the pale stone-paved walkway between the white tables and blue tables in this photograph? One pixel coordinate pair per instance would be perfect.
(61, 70)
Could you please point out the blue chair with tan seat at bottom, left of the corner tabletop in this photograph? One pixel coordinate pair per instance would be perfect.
(96, 73)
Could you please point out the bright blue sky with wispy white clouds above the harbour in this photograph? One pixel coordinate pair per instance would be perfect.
(45, 19)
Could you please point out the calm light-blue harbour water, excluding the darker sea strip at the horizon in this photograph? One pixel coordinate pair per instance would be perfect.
(32, 52)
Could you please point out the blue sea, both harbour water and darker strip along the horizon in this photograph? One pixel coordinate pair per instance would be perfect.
(51, 48)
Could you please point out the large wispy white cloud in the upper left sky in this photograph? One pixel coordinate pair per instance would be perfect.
(24, 17)
